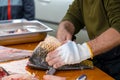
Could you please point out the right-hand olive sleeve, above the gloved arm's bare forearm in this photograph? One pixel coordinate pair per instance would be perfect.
(113, 13)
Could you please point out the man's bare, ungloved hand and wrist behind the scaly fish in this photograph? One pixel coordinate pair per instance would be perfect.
(65, 31)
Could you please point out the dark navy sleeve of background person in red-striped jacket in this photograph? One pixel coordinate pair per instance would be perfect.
(29, 9)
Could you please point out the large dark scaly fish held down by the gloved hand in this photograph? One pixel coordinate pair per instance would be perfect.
(37, 60)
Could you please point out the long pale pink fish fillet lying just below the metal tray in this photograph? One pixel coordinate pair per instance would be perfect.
(9, 54)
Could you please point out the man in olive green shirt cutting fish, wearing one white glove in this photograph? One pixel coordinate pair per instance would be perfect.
(102, 21)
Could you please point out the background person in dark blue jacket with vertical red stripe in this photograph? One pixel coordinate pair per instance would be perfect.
(17, 9)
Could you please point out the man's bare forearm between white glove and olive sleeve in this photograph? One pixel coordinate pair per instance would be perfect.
(106, 41)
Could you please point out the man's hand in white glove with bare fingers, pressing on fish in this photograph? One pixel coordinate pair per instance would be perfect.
(68, 53)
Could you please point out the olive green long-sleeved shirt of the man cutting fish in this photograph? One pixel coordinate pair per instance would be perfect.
(96, 15)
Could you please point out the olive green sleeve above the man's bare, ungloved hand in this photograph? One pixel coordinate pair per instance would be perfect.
(74, 15)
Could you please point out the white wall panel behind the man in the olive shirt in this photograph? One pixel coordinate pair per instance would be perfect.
(51, 10)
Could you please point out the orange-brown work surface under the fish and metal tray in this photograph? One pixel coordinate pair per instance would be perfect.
(94, 74)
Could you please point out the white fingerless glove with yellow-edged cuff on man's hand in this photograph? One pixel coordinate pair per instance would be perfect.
(71, 53)
